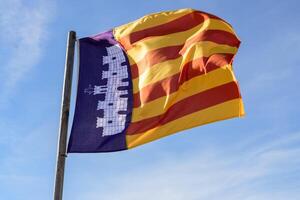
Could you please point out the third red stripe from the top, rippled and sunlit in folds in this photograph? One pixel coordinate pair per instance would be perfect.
(171, 84)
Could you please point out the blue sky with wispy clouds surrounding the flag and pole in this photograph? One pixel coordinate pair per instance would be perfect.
(252, 158)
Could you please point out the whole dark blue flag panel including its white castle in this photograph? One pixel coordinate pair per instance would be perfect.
(104, 97)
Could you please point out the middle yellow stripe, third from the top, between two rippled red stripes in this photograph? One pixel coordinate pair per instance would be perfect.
(171, 67)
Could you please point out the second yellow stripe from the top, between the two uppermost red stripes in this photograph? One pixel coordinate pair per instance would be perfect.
(142, 47)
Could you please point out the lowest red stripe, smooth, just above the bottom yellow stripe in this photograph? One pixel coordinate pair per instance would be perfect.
(187, 106)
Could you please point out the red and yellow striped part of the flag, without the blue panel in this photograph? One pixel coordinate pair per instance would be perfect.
(181, 73)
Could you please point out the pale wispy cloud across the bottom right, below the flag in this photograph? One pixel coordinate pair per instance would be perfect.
(268, 171)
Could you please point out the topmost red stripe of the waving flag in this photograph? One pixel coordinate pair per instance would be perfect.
(183, 23)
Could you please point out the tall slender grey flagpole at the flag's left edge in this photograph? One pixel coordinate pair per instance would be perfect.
(64, 117)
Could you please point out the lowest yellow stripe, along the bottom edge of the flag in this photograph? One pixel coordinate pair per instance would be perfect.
(226, 110)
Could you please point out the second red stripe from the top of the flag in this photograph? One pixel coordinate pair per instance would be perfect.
(166, 53)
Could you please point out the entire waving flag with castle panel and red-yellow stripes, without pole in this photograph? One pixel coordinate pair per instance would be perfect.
(161, 74)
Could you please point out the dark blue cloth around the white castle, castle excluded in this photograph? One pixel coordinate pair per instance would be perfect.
(85, 136)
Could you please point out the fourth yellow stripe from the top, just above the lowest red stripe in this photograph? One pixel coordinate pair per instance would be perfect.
(196, 85)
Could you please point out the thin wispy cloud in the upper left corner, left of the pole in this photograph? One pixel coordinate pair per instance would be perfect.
(23, 30)
